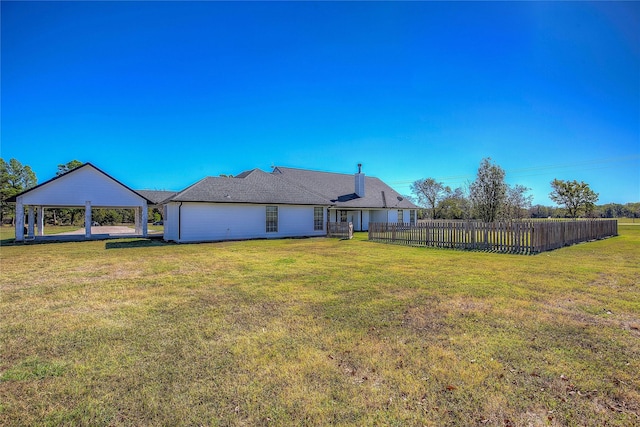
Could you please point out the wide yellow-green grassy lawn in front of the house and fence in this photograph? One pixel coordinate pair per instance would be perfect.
(318, 332)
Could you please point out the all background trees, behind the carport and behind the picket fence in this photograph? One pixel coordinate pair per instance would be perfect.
(488, 198)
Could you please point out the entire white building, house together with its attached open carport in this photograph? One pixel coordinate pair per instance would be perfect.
(287, 202)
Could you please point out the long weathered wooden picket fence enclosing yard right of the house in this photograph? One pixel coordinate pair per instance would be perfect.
(523, 237)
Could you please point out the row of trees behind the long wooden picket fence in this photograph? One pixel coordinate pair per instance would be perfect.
(489, 198)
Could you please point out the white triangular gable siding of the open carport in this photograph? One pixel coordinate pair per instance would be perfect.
(80, 186)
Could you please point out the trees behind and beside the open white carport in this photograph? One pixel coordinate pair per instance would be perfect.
(16, 178)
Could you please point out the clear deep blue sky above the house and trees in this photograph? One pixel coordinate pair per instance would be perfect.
(161, 94)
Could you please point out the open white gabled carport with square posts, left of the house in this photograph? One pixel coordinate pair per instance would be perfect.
(84, 187)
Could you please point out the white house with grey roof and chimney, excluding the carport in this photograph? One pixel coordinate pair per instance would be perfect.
(285, 203)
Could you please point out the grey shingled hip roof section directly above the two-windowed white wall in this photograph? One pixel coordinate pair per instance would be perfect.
(254, 186)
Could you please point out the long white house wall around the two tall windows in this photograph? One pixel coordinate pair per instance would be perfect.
(222, 221)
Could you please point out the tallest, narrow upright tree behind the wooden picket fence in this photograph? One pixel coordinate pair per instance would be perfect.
(488, 192)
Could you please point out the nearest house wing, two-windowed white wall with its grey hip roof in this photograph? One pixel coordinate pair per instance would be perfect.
(252, 205)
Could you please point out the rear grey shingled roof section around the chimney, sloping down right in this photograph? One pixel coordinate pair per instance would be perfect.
(340, 189)
